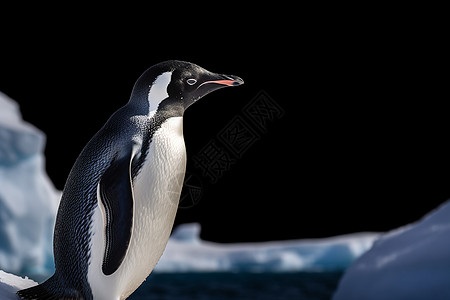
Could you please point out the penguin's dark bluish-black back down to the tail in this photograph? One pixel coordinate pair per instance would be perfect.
(74, 218)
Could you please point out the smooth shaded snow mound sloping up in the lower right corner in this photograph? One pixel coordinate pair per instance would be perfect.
(412, 262)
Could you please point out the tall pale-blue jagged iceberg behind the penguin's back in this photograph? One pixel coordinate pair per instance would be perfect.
(28, 199)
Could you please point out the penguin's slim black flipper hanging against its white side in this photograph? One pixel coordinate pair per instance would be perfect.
(117, 198)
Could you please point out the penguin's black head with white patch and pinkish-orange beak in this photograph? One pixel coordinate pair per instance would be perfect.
(175, 85)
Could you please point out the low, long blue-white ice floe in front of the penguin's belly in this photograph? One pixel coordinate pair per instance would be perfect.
(186, 252)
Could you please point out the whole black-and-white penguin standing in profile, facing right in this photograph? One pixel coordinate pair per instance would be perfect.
(120, 199)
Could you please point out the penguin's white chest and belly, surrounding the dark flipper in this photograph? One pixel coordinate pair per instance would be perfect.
(156, 192)
